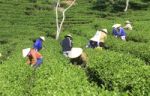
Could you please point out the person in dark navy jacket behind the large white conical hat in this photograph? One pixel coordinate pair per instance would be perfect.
(66, 45)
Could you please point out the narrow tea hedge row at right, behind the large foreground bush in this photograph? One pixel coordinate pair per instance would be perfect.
(141, 51)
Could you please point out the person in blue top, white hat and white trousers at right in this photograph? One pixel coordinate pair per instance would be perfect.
(119, 32)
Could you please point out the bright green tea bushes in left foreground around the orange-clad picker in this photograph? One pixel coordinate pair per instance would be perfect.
(54, 77)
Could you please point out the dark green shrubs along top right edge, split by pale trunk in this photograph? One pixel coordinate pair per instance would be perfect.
(118, 5)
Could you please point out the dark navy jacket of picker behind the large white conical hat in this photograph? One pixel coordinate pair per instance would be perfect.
(66, 44)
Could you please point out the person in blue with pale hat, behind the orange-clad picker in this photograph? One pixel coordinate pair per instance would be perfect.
(38, 43)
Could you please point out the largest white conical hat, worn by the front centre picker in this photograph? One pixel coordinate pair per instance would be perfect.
(75, 52)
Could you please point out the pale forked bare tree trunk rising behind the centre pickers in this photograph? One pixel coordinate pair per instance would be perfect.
(59, 26)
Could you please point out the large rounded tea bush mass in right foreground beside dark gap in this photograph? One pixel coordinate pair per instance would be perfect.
(123, 73)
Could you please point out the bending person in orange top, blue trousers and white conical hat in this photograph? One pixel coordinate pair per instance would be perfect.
(34, 58)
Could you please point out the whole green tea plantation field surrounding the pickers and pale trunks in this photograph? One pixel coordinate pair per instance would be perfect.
(121, 70)
